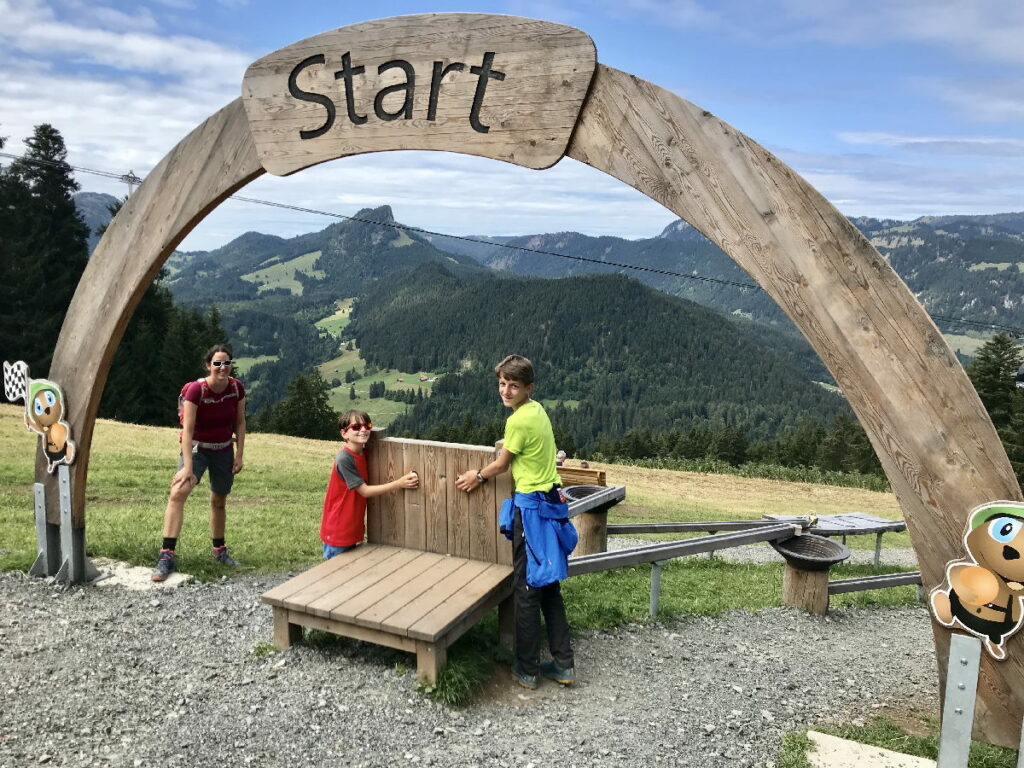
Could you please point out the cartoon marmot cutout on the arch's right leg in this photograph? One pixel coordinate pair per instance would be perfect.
(985, 595)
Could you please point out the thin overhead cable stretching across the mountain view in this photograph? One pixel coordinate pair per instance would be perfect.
(132, 180)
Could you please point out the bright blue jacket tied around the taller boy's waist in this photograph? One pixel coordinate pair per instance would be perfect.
(549, 535)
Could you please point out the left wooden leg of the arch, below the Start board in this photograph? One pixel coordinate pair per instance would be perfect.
(206, 167)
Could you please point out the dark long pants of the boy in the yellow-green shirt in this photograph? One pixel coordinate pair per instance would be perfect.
(529, 604)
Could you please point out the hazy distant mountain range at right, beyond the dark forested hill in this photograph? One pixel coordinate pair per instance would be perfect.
(959, 267)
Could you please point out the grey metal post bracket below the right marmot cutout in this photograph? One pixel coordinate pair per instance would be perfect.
(962, 691)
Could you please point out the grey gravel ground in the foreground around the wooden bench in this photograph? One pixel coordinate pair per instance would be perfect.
(110, 677)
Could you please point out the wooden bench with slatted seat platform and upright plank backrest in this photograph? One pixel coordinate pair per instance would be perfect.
(435, 563)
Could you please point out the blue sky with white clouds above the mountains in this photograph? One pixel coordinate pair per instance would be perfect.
(892, 109)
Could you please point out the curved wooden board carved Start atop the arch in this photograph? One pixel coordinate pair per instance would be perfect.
(528, 107)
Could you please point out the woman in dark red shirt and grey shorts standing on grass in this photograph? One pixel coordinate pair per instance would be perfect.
(214, 410)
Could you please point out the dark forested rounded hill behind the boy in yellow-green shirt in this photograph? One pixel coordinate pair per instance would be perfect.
(612, 355)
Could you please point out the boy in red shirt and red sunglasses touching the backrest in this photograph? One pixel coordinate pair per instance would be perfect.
(344, 526)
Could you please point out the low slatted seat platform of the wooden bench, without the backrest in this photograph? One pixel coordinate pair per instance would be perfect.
(416, 602)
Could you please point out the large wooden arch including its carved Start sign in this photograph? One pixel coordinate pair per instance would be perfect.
(529, 93)
